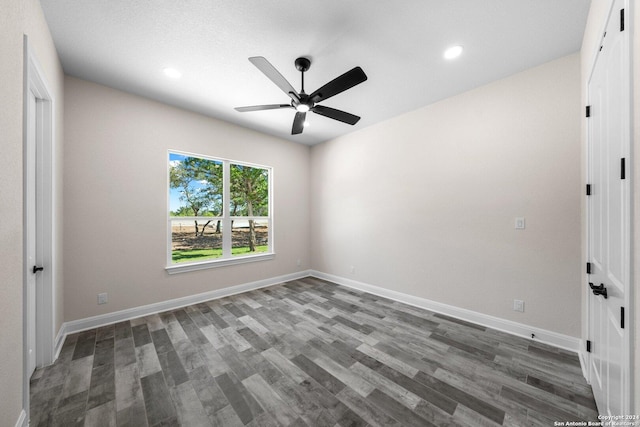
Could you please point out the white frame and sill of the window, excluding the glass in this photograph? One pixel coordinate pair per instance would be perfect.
(226, 220)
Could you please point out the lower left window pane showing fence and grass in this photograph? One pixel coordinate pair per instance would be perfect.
(193, 241)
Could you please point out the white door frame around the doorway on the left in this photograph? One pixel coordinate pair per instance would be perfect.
(33, 81)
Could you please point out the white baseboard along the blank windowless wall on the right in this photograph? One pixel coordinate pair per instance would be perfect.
(548, 337)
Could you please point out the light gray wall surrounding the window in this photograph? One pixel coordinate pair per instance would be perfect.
(115, 199)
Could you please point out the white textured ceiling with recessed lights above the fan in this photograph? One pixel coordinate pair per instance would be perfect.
(125, 44)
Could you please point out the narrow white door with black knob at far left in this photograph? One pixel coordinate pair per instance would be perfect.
(31, 229)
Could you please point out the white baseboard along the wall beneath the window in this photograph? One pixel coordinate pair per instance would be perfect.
(146, 310)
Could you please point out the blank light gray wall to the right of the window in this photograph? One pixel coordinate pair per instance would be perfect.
(425, 203)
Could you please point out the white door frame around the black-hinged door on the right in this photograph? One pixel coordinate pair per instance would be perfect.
(629, 306)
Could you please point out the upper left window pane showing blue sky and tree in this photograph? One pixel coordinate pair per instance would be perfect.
(195, 186)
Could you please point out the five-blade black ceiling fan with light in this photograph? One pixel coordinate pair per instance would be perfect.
(302, 102)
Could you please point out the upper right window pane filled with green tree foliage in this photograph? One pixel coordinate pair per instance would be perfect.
(249, 191)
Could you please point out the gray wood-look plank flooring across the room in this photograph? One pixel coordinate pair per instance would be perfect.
(307, 353)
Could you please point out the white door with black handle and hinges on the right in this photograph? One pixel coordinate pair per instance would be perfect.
(609, 213)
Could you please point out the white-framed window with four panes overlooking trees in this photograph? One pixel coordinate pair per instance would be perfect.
(219, 212)
